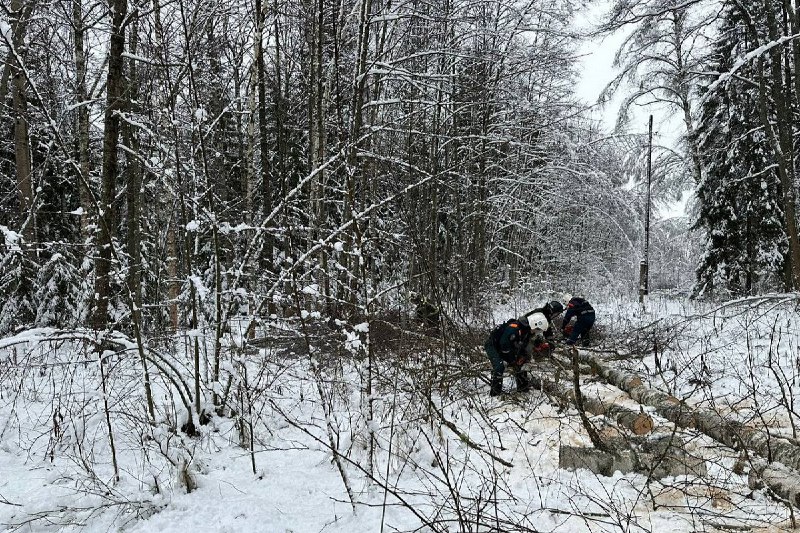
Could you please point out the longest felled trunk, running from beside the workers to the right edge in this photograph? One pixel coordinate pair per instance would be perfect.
(780, 470)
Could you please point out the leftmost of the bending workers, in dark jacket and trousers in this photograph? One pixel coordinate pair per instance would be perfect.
(507, 346)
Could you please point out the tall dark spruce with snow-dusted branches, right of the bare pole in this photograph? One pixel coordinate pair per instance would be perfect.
(739, 207)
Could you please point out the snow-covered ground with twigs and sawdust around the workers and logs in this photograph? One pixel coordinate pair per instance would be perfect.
(427, 450)
